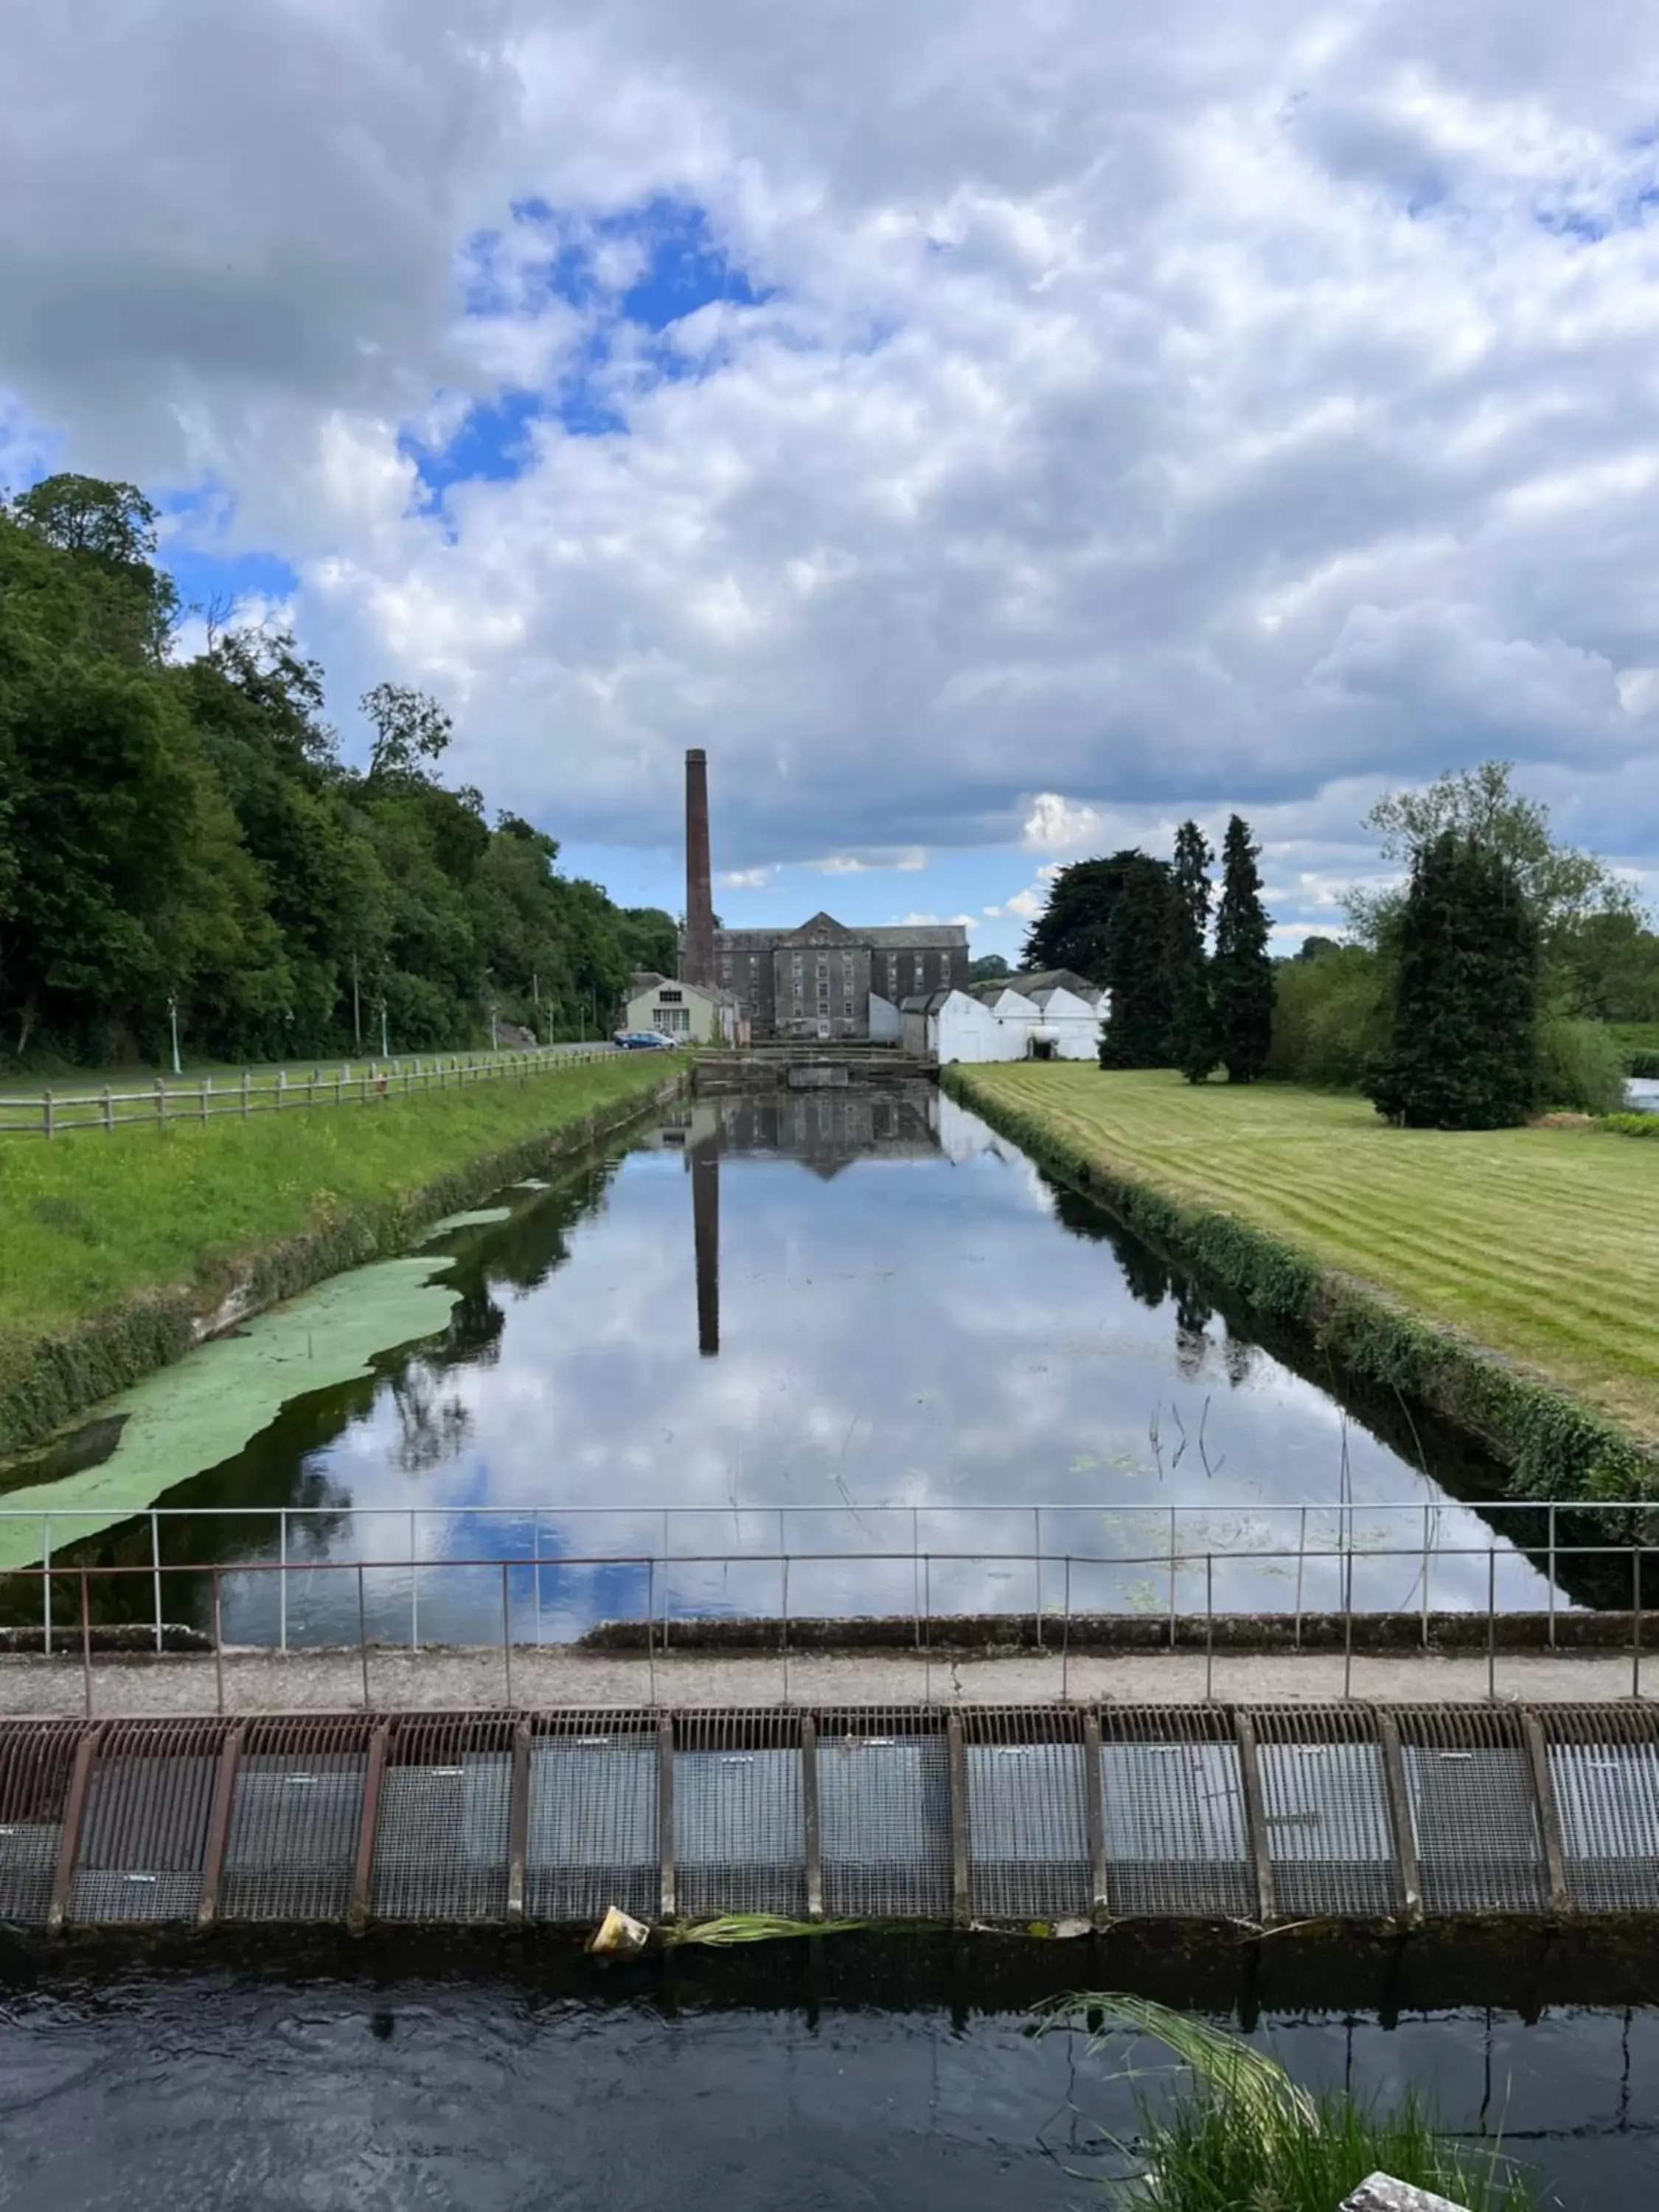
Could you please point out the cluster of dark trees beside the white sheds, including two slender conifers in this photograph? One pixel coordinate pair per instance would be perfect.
(1140, 928)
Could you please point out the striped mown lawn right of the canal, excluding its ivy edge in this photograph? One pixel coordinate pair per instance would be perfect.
(1538, 1244)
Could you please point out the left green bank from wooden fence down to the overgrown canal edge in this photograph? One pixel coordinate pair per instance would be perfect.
(116, 1249)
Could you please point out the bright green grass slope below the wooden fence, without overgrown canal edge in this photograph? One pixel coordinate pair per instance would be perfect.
(90, 1220)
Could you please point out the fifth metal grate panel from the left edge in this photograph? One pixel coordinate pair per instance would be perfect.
(592, 1837)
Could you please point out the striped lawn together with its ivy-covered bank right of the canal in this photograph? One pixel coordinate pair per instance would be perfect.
(1412, 1255)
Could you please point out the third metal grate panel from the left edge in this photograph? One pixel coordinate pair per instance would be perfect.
(295, 1819)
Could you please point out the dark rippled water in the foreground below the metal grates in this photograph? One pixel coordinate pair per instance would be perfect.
(225, 2094)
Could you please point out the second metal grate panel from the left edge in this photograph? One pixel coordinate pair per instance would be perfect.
(147, 1824)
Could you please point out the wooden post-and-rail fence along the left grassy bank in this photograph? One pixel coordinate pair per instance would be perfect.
(346, 1085)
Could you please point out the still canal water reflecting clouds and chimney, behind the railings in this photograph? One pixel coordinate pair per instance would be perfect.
(853, 1328)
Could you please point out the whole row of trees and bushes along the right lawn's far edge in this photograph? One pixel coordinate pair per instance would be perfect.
(1507, 974)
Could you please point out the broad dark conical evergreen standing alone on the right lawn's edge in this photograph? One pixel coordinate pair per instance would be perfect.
(1465, 1008)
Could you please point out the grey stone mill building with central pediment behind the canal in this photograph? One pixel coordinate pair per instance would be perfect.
(828, 981)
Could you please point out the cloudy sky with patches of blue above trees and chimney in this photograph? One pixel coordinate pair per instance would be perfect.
(992, 432)
